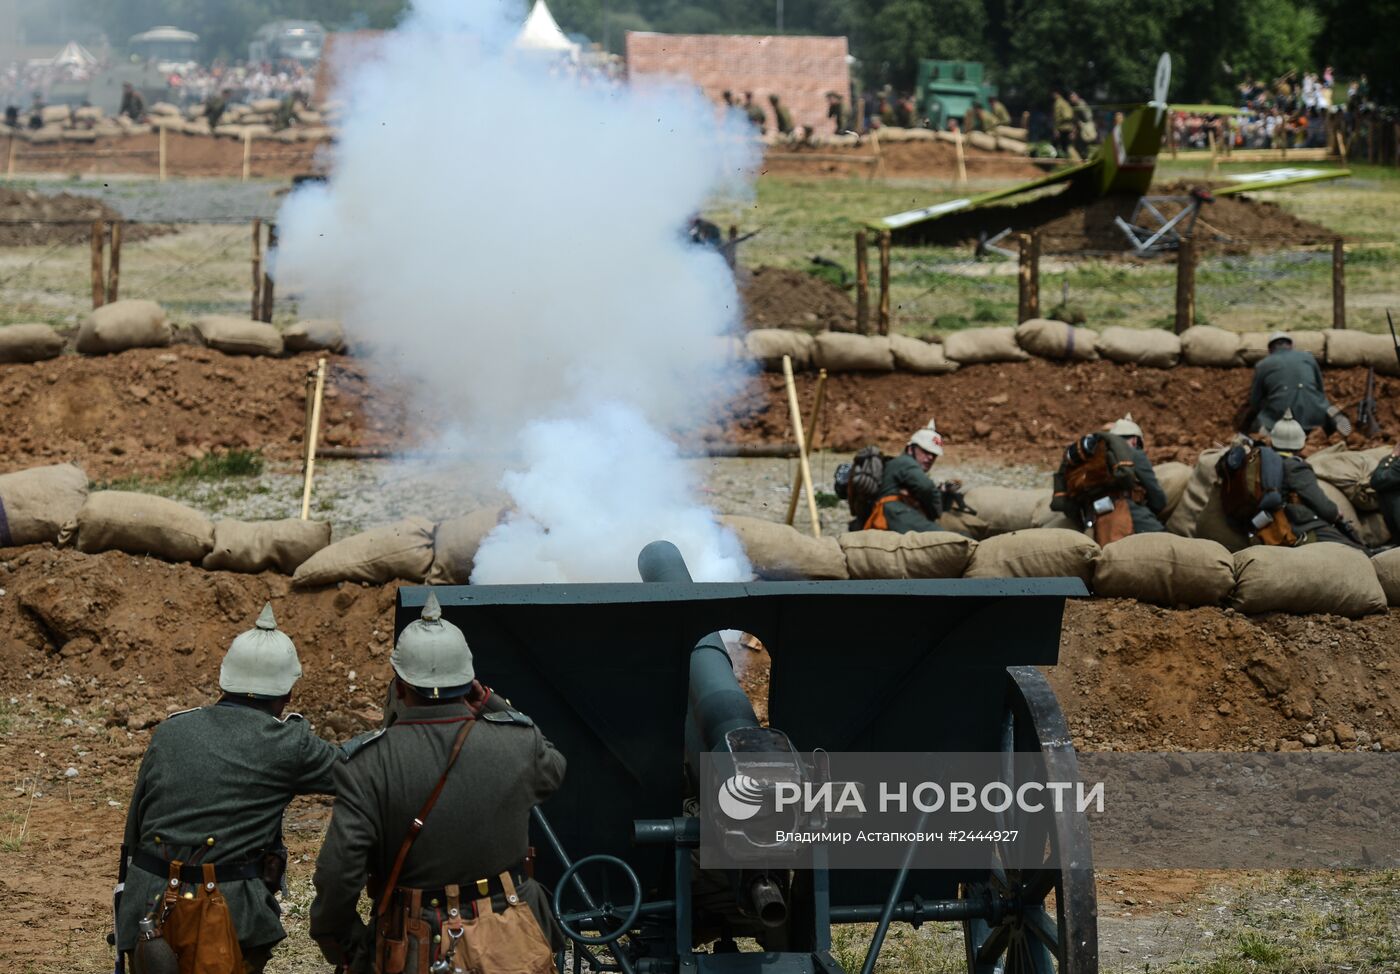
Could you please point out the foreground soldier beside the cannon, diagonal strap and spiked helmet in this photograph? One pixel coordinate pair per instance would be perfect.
(478, 831)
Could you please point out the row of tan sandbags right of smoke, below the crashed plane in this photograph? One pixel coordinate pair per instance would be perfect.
(1042, 338)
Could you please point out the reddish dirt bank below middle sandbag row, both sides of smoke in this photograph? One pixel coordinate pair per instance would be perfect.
(148, 411)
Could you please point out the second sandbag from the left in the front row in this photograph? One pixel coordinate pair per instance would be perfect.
(143, 524)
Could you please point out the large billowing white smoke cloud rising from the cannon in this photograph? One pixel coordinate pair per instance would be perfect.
(512, 243)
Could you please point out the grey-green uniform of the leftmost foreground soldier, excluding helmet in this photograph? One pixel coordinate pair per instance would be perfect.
(226, 773)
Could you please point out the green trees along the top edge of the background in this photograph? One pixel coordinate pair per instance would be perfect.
(1105, 50)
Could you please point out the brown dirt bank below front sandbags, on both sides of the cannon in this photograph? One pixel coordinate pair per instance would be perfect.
(79, 629)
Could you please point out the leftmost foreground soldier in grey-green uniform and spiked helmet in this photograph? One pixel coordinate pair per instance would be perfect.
(213, 787)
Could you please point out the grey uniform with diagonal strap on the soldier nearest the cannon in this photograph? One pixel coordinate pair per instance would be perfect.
(478, 829)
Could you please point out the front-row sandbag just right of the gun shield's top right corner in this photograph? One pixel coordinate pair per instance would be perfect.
(1165, 570)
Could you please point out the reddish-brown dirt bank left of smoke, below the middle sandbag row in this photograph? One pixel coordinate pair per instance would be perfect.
(148, 411)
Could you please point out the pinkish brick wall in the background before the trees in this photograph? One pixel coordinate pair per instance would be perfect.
(800, 71)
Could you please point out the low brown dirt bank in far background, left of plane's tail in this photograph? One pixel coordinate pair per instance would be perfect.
(904, 160)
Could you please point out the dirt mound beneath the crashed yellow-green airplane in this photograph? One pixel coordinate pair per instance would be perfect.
(1072, 225)
